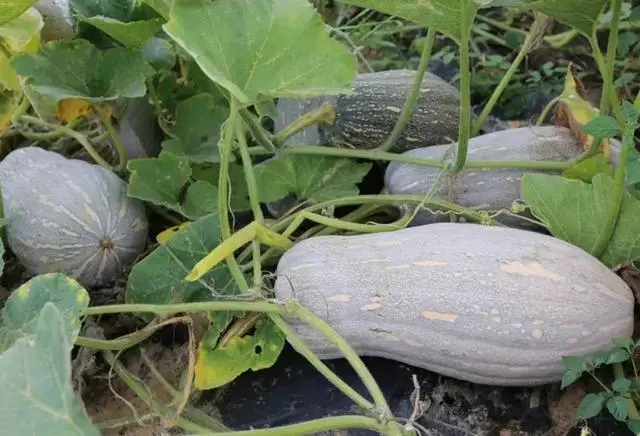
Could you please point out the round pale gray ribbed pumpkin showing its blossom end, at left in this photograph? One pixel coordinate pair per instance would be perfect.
(69, 216)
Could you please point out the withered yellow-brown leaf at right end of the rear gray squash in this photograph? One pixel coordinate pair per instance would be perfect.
(574, 111)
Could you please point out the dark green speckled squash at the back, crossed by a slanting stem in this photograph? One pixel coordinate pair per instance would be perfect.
(365, 118)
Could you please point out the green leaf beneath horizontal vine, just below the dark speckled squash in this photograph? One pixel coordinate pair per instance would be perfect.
(309, 177)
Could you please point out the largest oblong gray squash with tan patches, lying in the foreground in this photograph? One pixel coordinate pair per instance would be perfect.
(490, 305)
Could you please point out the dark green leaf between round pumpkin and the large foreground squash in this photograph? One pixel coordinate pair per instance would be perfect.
(159, 277)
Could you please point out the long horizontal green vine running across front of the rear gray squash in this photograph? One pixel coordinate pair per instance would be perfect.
(436, 163)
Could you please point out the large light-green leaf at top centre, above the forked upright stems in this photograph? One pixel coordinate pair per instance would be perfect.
(275, 48)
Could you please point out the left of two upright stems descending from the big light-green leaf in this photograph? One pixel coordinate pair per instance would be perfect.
(229, 133)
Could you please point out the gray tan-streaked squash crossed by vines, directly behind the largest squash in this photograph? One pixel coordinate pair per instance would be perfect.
(490, 190)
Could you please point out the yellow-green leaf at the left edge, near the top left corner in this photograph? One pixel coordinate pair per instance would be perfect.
(20, 35)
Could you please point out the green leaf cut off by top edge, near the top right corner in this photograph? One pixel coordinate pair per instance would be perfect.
(581, 14)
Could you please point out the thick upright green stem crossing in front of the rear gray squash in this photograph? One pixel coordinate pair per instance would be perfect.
(464, 128)
